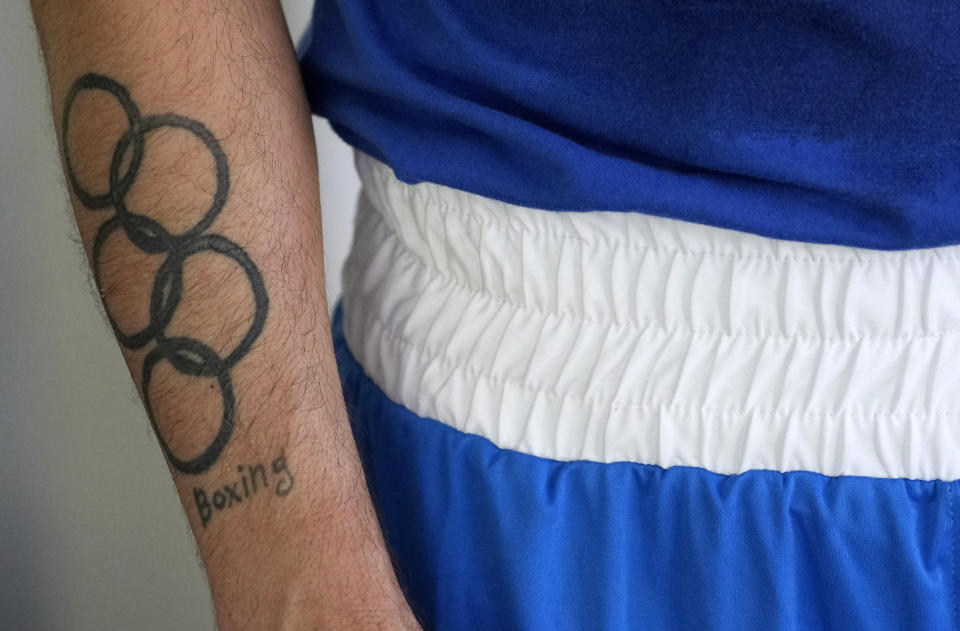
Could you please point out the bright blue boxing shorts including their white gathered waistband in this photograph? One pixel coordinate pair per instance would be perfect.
(528, 514)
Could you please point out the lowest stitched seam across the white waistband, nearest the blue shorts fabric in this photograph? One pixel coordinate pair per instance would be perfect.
(391, 335)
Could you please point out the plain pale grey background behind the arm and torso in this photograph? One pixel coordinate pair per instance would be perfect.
(92, 535)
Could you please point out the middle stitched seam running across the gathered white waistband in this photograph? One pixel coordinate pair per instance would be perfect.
(434, 273)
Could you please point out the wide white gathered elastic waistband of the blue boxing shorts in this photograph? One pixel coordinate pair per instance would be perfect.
(612, 336)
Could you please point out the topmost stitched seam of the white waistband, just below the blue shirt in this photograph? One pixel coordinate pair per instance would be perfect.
(883, 256)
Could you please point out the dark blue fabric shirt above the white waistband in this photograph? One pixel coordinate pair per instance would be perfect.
(822, 121)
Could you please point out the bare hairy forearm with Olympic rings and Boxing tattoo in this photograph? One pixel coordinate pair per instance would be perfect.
(190, 159)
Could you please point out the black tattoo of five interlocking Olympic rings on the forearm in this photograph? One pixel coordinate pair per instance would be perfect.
(187, 355)
